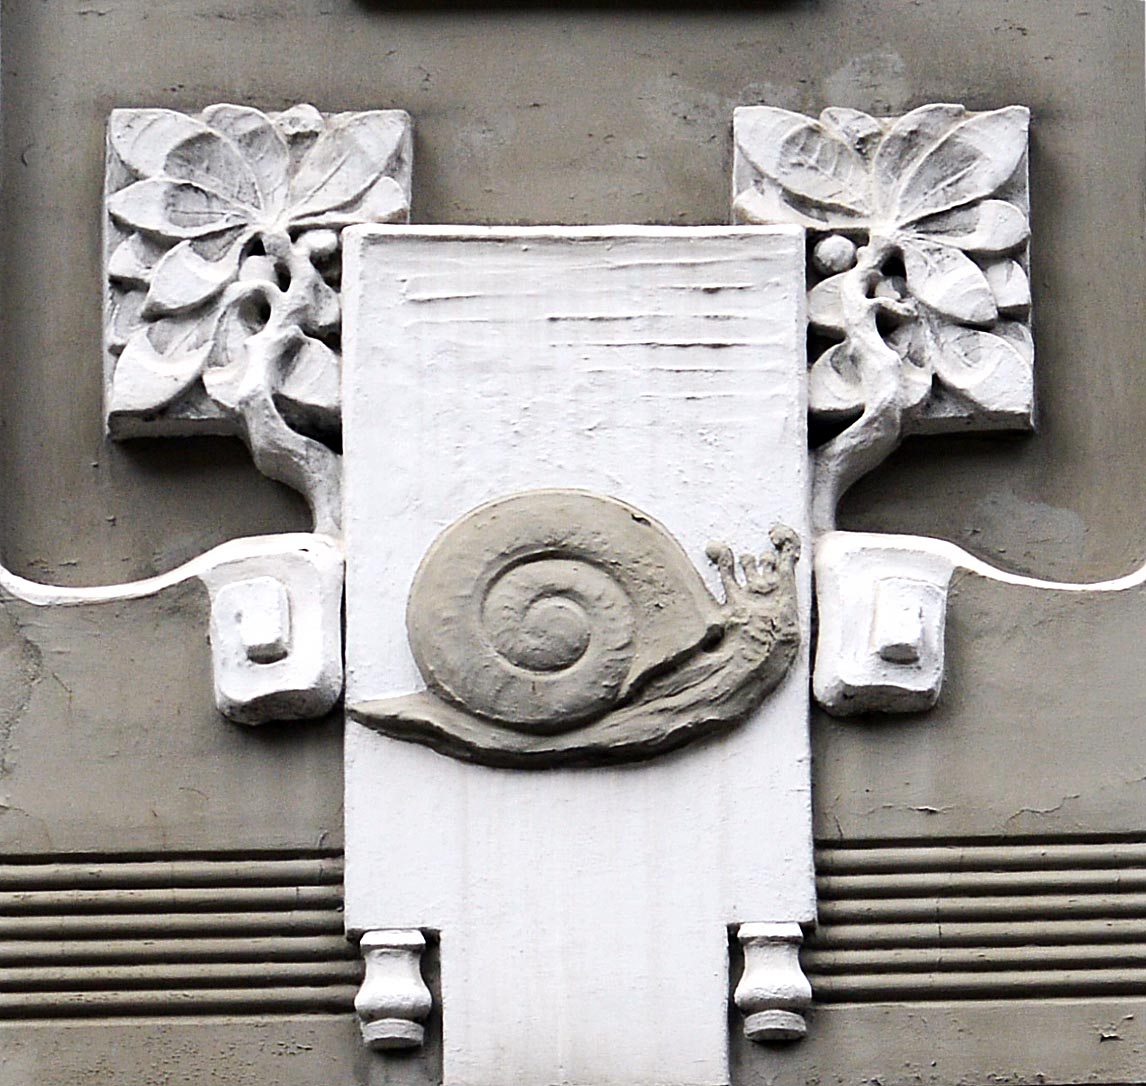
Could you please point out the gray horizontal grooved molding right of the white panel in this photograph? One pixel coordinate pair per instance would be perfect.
(979, 922)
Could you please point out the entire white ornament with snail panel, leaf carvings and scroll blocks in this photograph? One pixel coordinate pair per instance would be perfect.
(531, 383)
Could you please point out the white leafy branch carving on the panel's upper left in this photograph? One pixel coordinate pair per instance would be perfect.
(223, 272)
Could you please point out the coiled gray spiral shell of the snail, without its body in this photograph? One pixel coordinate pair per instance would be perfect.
(543, 611)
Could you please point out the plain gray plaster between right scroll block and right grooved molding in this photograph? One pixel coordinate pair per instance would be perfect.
(1035, 733)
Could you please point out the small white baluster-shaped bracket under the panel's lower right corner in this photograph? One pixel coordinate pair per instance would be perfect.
(773, 994)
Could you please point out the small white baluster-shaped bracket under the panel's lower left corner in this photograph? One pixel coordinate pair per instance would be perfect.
(394, 1000)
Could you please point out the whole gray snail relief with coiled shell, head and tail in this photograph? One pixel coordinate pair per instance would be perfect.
(561, 627)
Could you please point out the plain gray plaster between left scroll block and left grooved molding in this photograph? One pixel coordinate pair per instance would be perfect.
(111, 741)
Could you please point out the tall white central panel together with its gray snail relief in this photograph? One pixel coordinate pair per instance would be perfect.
(577, 747)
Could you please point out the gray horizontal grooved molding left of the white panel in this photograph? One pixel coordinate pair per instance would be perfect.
(111, 938)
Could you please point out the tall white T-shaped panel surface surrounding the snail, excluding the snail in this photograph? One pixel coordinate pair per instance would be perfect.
(584, 914)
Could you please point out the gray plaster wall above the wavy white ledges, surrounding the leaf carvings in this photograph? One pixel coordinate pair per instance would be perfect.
(577, 114)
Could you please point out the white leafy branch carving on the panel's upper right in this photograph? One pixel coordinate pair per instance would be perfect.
(920, 302)
